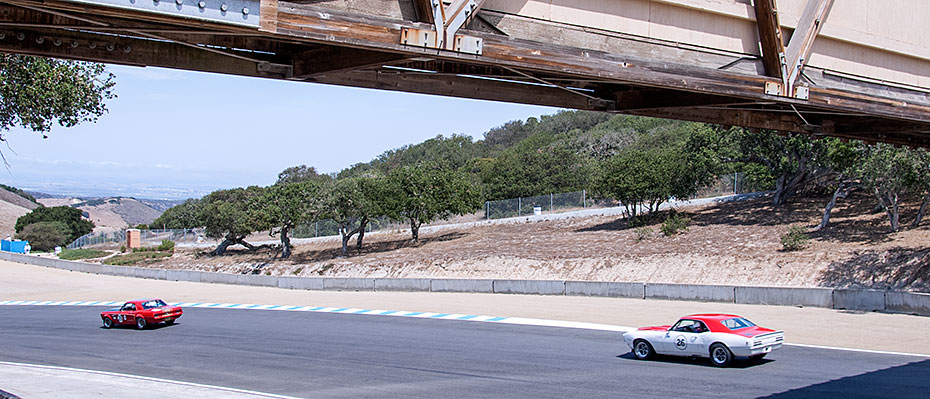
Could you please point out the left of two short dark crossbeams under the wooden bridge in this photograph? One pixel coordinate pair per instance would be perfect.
(338, 59)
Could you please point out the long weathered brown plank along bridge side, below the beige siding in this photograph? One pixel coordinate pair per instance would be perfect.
(381, 34)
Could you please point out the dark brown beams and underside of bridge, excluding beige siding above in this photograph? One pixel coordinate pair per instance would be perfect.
(330, 43)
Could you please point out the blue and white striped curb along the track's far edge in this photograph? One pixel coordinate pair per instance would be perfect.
(356, 311)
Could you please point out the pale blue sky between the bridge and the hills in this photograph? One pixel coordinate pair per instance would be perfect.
(176, 134)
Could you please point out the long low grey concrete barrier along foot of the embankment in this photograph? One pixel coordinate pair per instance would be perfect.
(834, 298)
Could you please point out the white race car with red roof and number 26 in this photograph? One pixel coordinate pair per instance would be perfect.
(720, 337)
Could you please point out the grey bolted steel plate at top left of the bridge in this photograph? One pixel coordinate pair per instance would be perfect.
(237, 12)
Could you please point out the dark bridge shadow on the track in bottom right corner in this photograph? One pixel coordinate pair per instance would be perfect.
(905, 381)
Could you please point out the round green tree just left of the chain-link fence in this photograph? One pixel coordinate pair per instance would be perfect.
(422, 194)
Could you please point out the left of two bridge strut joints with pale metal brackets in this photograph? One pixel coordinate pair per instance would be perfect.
(447, 20)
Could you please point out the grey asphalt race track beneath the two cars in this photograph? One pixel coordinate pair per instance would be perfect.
(337, 355)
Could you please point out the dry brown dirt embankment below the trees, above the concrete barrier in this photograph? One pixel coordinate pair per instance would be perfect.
(730, 243)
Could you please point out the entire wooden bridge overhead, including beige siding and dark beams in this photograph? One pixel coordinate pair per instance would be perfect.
(853, 69)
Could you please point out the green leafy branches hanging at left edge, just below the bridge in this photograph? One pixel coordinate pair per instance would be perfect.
(39, 92)
